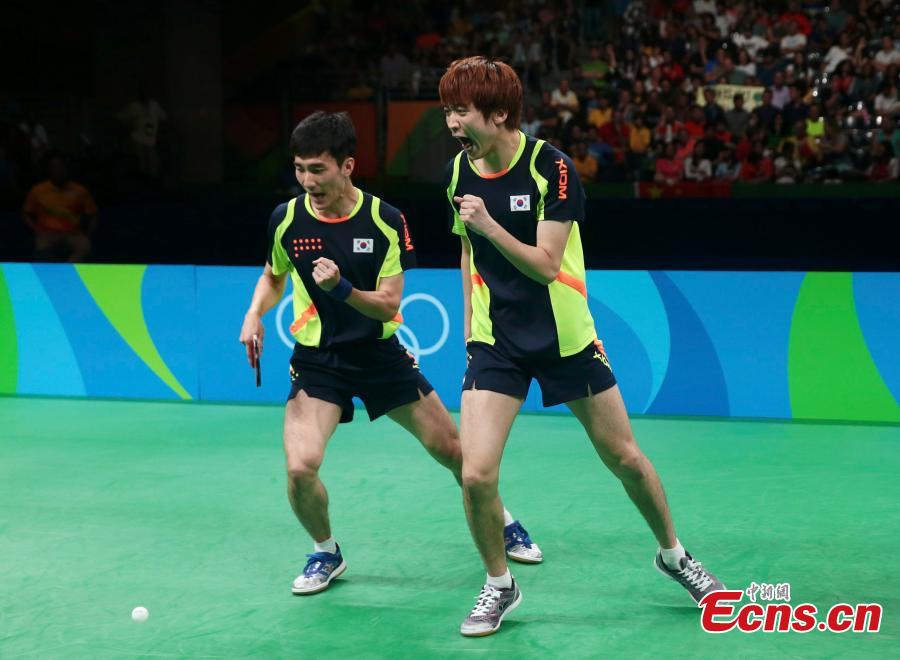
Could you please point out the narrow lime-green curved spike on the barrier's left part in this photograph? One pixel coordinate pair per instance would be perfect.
(117, 292)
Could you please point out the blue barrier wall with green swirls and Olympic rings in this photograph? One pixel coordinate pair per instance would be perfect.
(784, 345)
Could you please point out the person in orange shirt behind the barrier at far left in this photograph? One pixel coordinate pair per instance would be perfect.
(61, 213)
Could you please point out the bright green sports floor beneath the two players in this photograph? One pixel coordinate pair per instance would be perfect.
(181, 508)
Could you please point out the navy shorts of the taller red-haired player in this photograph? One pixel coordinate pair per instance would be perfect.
(562, 379)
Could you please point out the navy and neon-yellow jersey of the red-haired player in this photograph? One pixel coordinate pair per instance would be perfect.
(509, 309)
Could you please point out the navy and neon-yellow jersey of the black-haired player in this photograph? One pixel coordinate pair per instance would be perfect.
(370, 243)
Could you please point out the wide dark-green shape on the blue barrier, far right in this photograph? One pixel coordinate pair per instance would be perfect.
(830, 370)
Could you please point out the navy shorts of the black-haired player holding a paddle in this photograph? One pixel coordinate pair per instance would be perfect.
(381, 373)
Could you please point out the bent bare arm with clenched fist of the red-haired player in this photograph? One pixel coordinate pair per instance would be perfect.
(540, 262)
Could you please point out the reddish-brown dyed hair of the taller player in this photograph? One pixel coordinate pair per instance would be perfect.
(489, 85)
